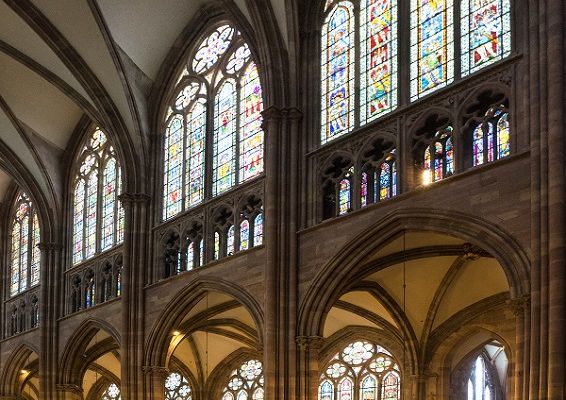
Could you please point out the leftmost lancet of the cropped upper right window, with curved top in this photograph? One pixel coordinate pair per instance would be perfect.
(338, 72)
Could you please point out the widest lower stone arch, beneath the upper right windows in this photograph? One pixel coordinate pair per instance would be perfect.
(337, 276)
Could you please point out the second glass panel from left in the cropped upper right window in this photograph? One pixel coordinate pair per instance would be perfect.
(378, 22)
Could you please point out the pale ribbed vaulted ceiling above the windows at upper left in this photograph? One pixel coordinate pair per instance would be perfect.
(60, 61)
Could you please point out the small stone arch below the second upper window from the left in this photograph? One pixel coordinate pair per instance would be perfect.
(73, 363)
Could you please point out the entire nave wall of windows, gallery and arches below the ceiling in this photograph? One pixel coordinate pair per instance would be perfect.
(368, 251)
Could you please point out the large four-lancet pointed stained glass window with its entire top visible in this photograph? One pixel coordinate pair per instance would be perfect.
(211, 81)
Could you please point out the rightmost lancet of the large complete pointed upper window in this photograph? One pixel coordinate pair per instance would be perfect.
(251, 134)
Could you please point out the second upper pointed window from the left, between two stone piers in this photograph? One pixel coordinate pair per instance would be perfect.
(98, 148)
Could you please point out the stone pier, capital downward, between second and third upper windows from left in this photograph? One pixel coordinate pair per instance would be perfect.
(136, 244)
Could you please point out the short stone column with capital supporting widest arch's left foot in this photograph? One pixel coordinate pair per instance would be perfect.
(308, 371)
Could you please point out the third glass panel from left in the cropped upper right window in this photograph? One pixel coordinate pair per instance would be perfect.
(432, 46)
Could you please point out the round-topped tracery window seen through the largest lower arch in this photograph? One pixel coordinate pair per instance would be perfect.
(344, 367)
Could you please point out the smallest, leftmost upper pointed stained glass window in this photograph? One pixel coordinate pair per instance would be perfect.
(25, 253)
